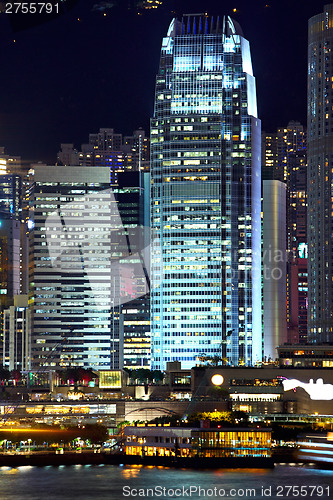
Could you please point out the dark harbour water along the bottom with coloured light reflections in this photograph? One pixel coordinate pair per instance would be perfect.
(117, 483)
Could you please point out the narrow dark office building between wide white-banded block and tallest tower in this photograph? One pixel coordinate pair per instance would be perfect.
(133, 200)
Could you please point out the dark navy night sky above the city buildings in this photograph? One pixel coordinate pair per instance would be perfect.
(63, 79)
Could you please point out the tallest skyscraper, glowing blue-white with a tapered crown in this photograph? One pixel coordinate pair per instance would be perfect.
(205, 152)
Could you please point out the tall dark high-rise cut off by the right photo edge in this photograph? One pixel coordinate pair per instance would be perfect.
(320, 176)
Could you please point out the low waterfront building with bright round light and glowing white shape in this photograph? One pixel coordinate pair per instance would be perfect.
(269, 389)
